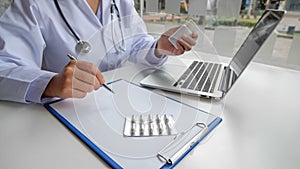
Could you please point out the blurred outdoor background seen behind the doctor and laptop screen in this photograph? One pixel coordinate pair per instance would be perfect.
(224, 24)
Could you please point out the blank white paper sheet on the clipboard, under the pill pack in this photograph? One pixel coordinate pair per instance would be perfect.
(101, 116)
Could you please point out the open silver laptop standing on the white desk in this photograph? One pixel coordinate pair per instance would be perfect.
(213, 80)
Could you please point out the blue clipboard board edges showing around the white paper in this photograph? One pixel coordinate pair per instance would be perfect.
(107, 158)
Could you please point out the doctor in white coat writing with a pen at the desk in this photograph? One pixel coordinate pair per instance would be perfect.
(36, 36)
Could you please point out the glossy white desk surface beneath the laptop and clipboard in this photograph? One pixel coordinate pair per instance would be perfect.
(259, 129)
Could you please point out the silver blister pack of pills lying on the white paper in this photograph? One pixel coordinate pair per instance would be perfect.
(149, 125)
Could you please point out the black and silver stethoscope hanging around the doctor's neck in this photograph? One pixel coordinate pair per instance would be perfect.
(84, 46)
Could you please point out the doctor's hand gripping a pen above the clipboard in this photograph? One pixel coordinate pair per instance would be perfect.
(76, 80)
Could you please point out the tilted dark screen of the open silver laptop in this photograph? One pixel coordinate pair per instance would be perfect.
(261, 31)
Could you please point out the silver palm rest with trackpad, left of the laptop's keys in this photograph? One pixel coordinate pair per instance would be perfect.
(166, 76)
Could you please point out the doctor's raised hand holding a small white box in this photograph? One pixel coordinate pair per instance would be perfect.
(185, 43)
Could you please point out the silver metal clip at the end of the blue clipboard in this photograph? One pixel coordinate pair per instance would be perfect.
(182, 143)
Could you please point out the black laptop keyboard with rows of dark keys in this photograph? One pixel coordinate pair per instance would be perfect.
(200, 76)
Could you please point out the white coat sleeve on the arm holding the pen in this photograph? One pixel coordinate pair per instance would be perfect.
(21, 51)
